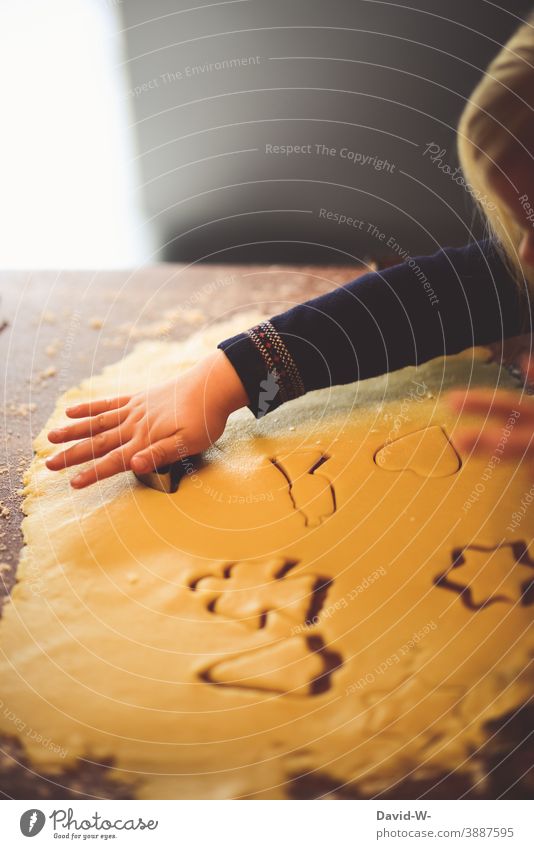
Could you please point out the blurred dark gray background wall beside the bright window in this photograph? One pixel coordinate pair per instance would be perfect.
(211, 88)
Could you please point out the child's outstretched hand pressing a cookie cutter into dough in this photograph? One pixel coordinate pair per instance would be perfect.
(160, 425)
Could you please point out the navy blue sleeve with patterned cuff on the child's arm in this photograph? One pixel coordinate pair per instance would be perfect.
(424, 308)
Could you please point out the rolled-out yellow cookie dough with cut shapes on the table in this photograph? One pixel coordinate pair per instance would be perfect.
(296, 606)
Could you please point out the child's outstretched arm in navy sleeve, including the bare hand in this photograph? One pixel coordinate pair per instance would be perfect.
(410, 313)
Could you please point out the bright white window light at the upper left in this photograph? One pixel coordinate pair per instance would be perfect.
(68, 185)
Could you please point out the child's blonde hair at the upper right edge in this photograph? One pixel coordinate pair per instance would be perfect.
(495, 125)
